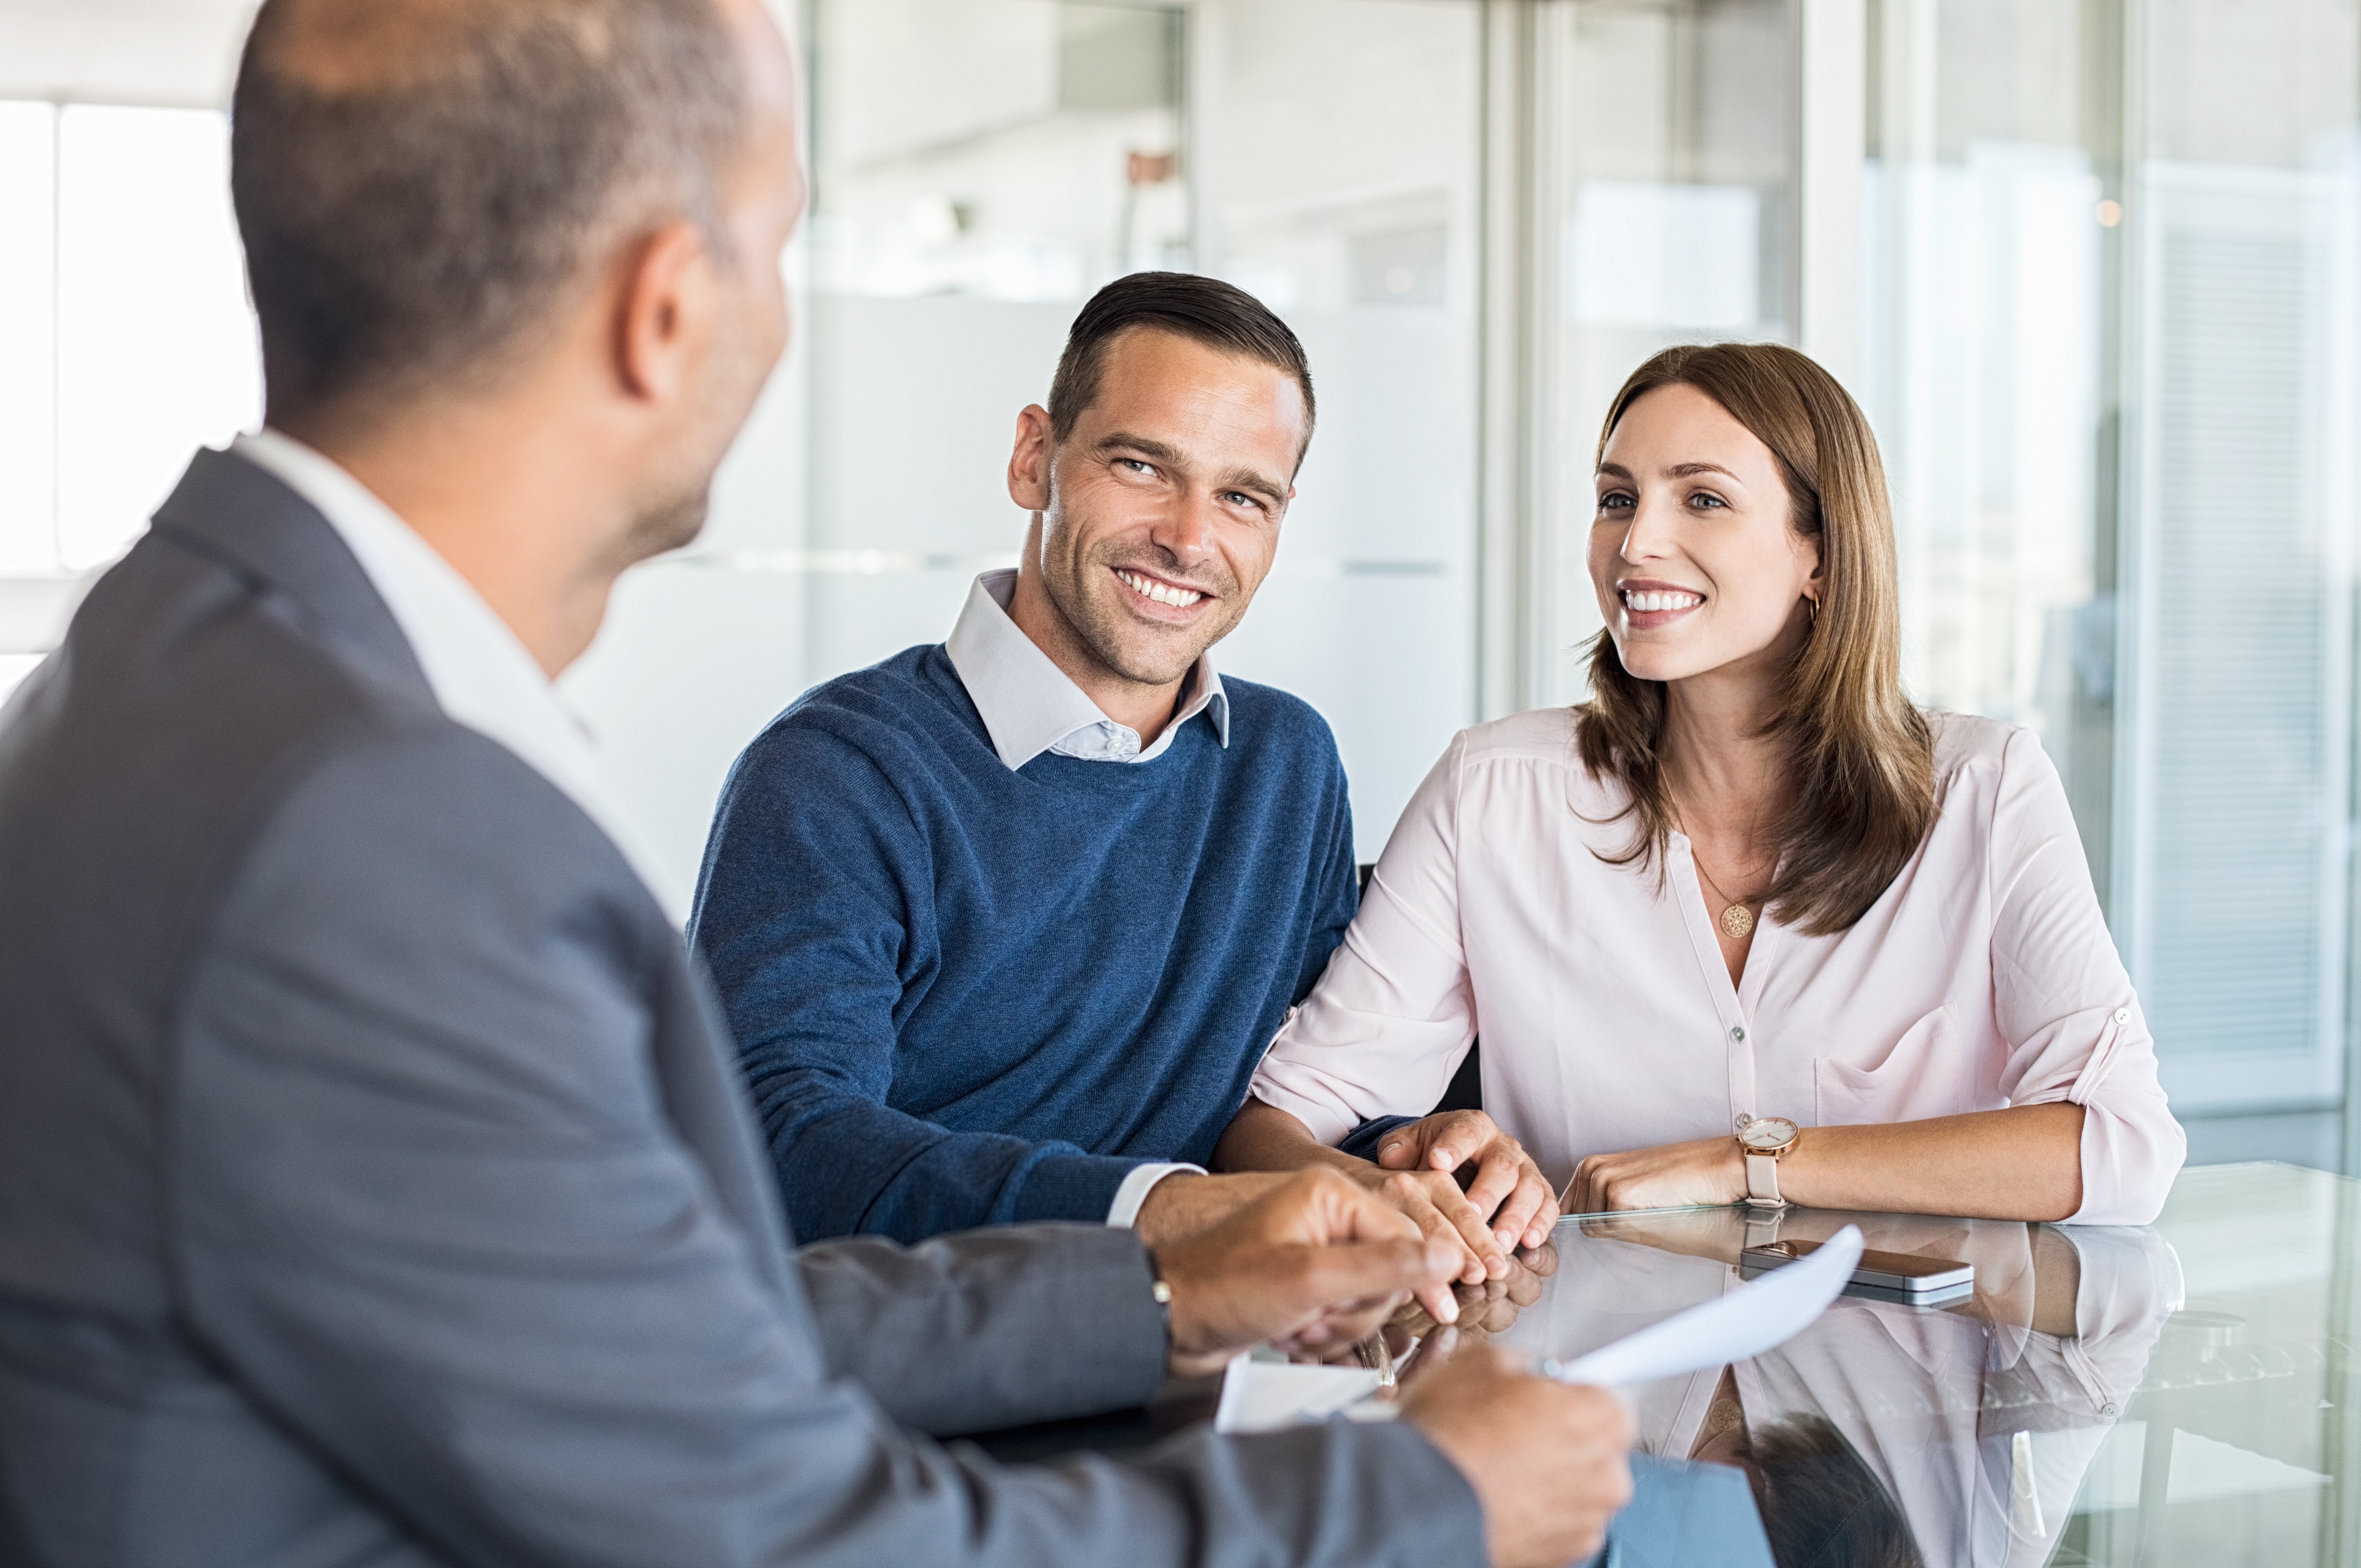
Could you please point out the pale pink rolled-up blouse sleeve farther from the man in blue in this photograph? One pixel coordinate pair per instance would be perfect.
(2065, 1002)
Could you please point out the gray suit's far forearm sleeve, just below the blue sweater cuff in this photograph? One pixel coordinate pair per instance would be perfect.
(990, 1328)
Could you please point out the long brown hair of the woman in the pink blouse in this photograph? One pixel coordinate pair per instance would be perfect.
(1859, 754)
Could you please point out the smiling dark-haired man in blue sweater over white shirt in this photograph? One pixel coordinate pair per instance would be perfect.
(1005, 925)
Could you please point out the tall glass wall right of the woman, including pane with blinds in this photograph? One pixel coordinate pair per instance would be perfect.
(2112, 325)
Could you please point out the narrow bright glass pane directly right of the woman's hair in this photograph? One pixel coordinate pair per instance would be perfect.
(1992, 230)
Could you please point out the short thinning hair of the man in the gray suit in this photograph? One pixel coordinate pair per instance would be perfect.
(419, 183)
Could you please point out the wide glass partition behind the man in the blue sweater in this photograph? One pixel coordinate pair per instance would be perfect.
(979, 171)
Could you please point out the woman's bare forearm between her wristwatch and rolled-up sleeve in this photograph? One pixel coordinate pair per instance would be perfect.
(2020, 1163)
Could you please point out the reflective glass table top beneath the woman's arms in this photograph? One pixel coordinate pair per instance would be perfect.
(2169, 1394)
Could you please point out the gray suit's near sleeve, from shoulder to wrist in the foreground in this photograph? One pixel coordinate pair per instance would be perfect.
(433, 1217)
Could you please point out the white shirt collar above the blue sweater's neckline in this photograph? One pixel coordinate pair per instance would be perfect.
(1028, 703)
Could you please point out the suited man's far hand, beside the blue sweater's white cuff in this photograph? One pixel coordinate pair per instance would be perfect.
(1314, 1262)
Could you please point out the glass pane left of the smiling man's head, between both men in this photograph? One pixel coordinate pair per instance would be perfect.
(976, 174)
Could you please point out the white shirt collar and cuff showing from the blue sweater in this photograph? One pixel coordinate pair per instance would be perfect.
(1033, 707)
